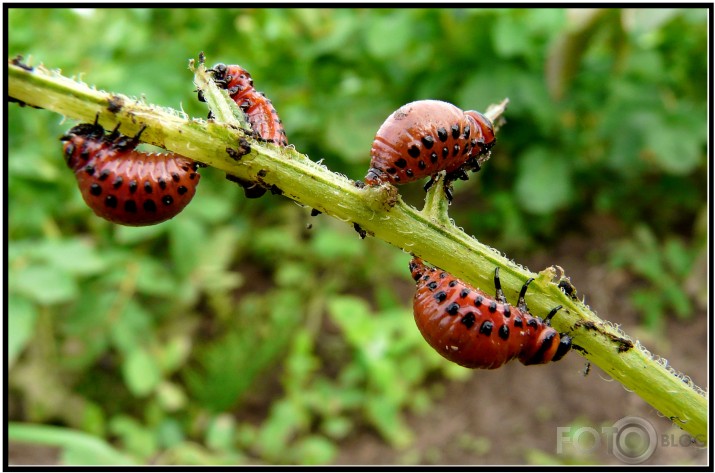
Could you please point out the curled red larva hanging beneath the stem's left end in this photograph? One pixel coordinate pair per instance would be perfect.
(126, 186)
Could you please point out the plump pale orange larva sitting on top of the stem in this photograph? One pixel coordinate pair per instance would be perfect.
(424, 137)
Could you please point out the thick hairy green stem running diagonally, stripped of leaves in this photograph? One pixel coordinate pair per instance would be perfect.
(382, 213)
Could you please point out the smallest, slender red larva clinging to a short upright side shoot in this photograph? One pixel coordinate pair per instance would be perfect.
(259, 110)
